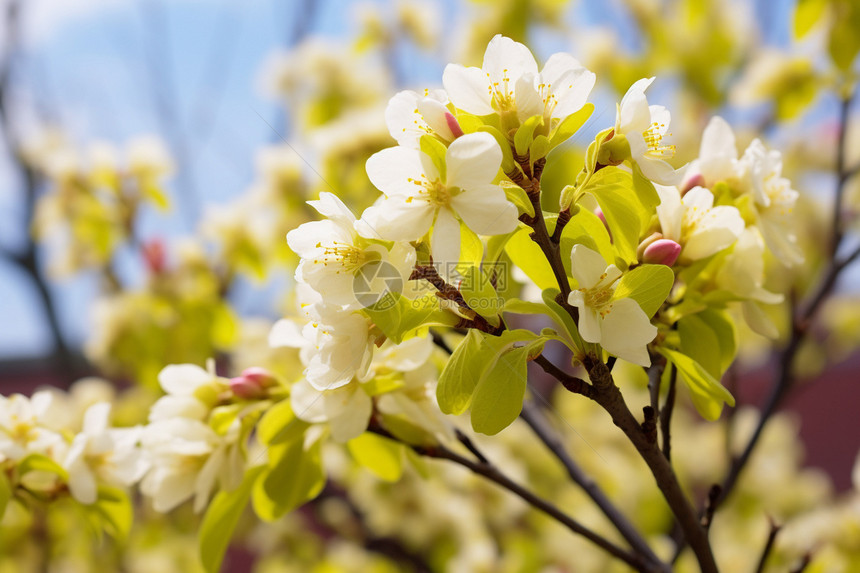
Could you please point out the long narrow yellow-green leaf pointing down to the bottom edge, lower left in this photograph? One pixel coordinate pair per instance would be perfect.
(220, 521)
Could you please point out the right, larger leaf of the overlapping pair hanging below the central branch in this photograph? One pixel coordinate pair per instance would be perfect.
(498, 397)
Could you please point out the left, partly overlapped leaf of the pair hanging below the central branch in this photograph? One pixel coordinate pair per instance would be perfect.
(461, 374)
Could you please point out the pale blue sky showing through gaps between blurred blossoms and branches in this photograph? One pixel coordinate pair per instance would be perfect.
(87, 66)
